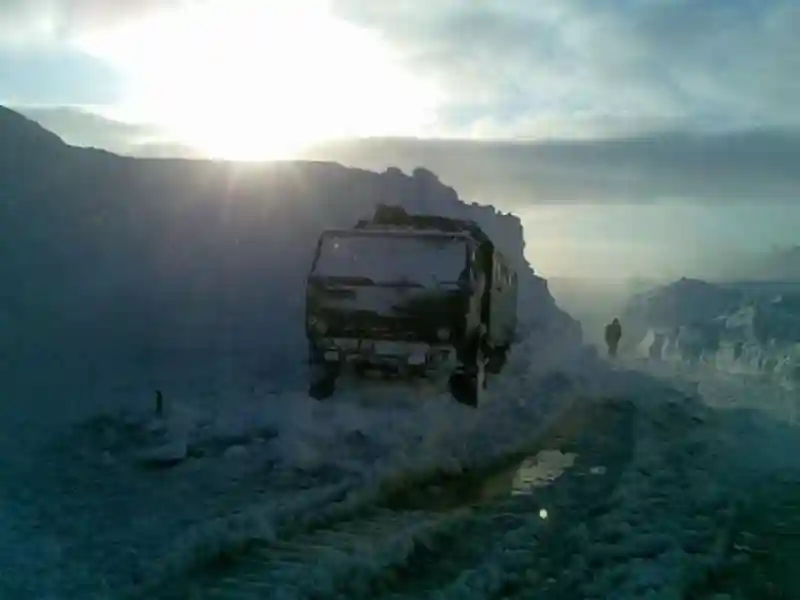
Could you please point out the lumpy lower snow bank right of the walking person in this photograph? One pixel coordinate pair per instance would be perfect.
(734, 327)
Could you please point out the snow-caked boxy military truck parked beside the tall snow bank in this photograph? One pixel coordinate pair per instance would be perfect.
(409, 296)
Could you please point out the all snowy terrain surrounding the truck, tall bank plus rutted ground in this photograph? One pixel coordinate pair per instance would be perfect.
(578, 480)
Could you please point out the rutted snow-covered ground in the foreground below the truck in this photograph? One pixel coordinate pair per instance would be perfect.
(282, 491)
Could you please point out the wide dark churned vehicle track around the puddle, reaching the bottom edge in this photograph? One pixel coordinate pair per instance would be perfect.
(438, 536)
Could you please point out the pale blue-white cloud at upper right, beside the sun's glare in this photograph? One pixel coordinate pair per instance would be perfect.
(646, 65)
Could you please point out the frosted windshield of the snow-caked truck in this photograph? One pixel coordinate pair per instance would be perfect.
(388, 259)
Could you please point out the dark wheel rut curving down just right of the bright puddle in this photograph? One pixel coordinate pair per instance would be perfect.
(515, 536)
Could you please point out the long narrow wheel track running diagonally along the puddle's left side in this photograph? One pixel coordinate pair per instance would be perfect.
(264, 519)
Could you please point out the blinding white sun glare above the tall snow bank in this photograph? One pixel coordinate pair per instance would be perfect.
(255, 80)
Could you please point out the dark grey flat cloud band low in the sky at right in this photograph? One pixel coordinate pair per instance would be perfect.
(748, 167)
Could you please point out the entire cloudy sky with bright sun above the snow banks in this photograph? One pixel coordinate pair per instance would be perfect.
(633, 136)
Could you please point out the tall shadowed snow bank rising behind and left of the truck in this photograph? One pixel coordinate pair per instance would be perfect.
(147, 264)
